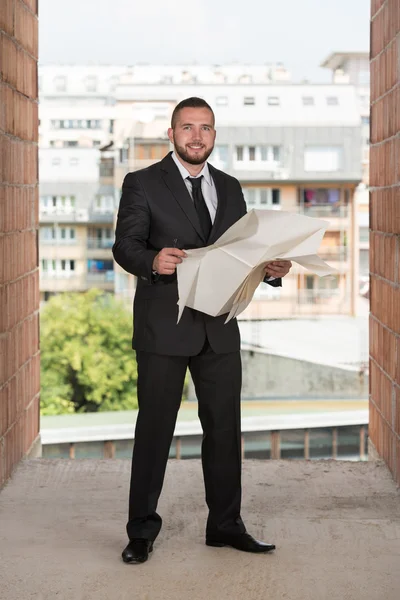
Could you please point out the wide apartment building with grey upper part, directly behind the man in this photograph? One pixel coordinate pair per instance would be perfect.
(293, 147)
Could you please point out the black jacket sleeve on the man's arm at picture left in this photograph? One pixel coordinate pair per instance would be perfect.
(132, 231)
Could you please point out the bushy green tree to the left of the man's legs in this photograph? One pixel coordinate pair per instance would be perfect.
(87, 362)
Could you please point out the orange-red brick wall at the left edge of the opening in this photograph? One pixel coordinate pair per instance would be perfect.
(19, 283)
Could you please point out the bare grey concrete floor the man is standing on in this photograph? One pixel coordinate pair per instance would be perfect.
(336, 526)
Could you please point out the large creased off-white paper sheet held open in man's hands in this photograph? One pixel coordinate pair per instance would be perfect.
(223, 277)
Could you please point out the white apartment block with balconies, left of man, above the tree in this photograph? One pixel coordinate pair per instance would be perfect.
(77, 197)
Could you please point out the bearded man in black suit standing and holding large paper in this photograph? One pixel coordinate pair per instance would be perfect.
(179, 203)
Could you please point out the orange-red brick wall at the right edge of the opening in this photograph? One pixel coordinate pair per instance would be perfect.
(384, 427)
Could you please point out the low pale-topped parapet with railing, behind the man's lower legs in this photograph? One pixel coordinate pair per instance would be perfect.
(326, 435)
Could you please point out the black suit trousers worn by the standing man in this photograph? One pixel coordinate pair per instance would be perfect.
(217, 380)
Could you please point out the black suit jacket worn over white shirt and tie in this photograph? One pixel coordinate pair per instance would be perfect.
(155, 212)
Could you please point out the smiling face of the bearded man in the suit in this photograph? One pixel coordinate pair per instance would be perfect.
(193, 135)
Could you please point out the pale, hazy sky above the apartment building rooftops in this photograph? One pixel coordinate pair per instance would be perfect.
(298, 33)
